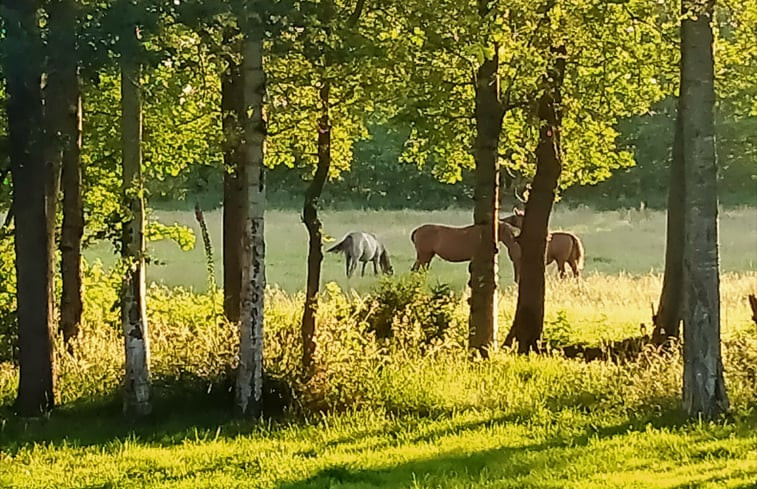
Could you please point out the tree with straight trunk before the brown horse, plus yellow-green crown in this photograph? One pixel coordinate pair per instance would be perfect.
(451, 47)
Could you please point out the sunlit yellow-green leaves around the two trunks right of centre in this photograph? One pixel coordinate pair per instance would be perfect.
(601, 41)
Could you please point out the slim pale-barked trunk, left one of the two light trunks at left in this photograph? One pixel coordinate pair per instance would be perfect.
(133, 312)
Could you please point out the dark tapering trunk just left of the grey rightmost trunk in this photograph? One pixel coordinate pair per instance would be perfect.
(668, 317)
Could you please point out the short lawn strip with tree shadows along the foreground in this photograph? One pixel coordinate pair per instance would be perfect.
(568, 449)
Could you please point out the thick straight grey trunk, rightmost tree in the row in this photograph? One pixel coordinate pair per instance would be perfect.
(704, 392)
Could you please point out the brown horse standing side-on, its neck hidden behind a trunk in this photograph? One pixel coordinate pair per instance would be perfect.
(457, 244)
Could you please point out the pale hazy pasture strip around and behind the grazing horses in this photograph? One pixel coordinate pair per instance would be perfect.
(616, 242)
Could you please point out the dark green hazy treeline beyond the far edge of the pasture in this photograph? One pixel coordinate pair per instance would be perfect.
(378, 179)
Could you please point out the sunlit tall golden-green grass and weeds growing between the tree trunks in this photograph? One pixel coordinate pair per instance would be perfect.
(416, 367)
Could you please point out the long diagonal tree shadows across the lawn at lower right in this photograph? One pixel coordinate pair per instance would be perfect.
(548, 464)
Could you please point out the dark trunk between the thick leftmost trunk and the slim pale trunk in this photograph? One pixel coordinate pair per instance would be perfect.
(63, 104)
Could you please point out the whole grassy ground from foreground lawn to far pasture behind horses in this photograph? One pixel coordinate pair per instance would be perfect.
(411, 411)
